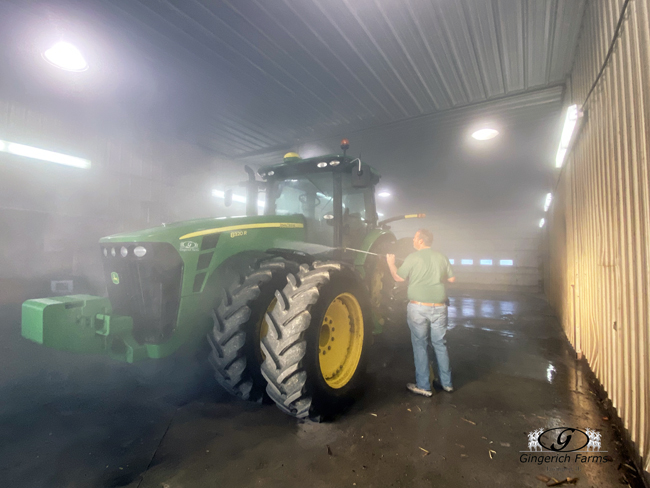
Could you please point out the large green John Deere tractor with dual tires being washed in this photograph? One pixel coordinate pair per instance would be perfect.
(289, 300)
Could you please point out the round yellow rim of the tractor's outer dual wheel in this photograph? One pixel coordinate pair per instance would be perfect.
(341, 340)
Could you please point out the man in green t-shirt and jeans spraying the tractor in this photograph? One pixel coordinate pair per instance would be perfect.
(426, 271)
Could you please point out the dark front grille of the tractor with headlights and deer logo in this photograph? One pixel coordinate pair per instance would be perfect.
(148, 288)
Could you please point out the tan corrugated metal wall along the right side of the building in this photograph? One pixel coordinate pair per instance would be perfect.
(599, 229)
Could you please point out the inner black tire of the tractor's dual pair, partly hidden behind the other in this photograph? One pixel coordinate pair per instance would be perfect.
(248, 293)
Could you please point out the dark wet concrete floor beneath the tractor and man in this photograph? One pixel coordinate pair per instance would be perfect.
(74, 421)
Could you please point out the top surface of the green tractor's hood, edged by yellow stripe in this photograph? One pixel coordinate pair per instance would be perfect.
(192, 229)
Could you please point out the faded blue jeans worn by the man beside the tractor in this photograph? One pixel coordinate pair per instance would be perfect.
(422, 320)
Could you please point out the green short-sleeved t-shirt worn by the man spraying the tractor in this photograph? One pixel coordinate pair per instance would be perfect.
(426, 271)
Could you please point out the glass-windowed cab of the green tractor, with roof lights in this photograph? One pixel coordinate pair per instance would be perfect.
(334, 193)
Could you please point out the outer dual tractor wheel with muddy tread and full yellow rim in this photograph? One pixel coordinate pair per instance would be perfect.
(316, 346)
